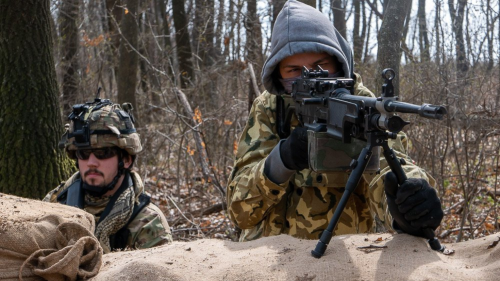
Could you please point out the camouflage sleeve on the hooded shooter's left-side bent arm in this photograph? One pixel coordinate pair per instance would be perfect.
(250, 192)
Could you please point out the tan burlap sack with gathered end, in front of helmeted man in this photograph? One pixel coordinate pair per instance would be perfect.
(40, 240)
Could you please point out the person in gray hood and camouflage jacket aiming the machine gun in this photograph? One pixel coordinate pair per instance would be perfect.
(271, 189)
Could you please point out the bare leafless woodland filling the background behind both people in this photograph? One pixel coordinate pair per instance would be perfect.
(191, 68)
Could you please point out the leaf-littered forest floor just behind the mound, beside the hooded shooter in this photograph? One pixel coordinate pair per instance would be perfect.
(197, 210)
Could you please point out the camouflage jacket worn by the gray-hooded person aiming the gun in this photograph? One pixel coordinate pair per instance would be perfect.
(303, 205)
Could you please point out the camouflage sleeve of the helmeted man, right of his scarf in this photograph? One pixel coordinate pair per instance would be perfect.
(149, 229)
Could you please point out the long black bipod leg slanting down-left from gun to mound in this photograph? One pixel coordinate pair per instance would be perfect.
(359, 167)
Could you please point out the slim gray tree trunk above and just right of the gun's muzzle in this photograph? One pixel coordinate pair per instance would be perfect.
(457, 20)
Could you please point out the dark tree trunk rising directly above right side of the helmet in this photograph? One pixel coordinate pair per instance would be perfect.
(129, 59)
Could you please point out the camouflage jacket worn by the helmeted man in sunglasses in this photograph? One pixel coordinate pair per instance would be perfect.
(148, 229)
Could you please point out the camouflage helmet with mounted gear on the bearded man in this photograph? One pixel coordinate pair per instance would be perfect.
(101, 124)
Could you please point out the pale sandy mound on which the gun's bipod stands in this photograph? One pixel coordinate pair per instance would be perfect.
(398, 257)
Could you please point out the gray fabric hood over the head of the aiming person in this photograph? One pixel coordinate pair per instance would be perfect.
(299, 28)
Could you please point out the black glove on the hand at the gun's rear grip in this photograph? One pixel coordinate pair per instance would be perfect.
(293, 150)
